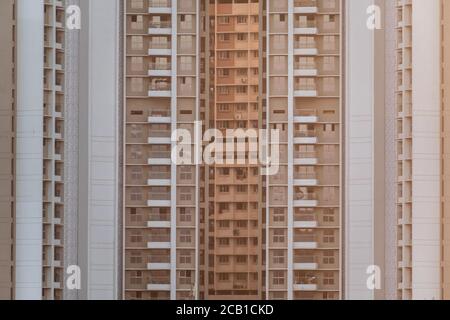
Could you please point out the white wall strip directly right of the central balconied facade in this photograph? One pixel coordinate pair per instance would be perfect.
(359, 154)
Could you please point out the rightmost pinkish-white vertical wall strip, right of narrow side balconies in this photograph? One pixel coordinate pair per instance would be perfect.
(426, 150)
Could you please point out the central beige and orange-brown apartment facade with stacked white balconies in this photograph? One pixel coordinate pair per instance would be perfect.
(243, 232)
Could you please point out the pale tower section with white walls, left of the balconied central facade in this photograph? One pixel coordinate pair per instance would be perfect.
(59, 178)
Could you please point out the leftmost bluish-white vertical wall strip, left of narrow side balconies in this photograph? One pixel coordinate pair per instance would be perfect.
(29, 148)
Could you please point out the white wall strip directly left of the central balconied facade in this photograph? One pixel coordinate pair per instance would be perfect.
(99, 150)
